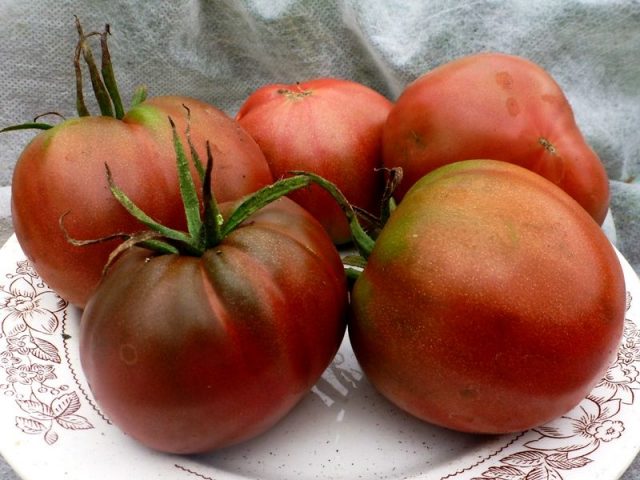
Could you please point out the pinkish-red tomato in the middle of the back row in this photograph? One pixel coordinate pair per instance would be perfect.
(328, 126)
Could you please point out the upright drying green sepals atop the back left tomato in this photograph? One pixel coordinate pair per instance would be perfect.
(103, 82)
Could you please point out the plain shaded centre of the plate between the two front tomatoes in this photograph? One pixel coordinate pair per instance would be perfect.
(343, 429)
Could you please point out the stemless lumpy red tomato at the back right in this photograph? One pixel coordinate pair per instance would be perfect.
(497, 106)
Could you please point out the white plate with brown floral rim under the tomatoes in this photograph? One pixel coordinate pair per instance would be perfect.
(50, 426)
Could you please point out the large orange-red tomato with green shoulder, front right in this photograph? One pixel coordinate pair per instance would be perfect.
(491, 302)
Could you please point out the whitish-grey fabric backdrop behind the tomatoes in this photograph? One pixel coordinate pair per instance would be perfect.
(220, 51)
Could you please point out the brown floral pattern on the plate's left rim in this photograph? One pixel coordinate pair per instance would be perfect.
(30, 324)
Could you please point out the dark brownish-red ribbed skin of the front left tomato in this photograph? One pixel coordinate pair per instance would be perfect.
(190, 354)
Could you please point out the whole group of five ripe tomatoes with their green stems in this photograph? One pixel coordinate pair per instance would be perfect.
(486, 298)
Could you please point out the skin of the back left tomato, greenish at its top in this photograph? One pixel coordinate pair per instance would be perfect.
(62, 171)
